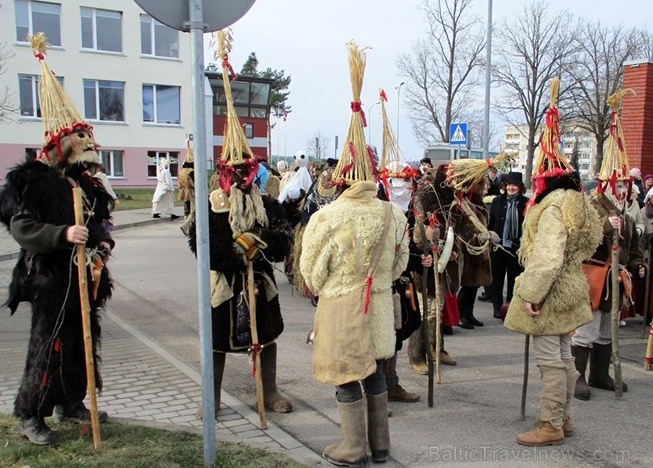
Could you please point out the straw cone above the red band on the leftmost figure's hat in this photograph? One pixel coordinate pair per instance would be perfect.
(57, 110)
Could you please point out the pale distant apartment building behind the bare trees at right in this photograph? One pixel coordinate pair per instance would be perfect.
(516, 144)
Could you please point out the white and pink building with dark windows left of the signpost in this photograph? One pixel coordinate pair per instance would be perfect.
(128, 75)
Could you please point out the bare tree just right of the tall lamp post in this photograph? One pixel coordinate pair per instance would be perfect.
(532, 48)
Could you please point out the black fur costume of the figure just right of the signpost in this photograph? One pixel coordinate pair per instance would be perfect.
(224, 258)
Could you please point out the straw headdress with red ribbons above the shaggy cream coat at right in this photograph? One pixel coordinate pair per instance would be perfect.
(550, 161)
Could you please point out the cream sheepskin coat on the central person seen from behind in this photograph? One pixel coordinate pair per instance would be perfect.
(338, 243)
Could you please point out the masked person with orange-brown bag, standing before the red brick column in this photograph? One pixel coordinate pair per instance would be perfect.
(593, 342)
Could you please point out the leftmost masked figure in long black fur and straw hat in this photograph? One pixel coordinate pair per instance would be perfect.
(36, 206)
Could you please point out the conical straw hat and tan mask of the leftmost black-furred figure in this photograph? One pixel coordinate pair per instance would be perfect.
(68, 139)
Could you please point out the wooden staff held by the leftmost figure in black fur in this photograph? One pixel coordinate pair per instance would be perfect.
(86, 320)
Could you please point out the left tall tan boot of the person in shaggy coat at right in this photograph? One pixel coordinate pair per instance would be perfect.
(552, 403)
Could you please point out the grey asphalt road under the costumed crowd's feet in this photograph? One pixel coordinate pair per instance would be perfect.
(476, 407)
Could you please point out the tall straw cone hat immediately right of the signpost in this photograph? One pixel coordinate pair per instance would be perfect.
(235, 142)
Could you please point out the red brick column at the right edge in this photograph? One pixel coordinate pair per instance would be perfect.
(637, 114)
